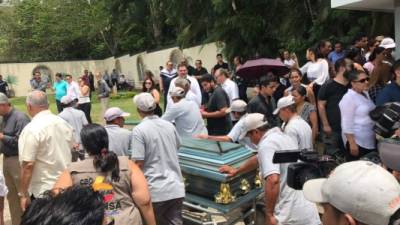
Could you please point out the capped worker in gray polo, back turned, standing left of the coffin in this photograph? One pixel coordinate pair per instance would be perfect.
(155, 145)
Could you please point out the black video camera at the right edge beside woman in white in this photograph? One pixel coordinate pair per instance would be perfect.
(386, 118)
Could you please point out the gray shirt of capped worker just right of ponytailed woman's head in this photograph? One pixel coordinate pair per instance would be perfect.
(119, 140)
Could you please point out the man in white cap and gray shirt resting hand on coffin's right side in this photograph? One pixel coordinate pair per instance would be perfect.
(284, 205)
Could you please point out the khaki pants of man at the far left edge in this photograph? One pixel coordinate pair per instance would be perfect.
(12, 173)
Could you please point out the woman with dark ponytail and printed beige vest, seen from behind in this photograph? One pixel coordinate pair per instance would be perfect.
(122, 183)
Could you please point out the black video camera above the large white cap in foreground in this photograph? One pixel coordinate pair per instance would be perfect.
(312, 166)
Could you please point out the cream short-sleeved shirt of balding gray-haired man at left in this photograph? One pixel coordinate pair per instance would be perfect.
(47, 140)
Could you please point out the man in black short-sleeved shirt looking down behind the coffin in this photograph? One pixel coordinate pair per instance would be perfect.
(218, 121)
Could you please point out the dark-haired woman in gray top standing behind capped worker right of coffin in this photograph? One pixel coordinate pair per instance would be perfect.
(305, 109)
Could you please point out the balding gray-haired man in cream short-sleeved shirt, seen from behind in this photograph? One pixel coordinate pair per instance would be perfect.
(44, 148)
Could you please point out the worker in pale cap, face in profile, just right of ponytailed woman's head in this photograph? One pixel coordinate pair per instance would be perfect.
(120, 139)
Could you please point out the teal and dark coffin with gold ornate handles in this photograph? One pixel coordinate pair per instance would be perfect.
(200, 161)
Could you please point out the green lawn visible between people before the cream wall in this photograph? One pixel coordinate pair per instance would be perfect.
(125, 104)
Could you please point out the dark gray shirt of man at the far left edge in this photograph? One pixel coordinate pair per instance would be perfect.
(13, 123)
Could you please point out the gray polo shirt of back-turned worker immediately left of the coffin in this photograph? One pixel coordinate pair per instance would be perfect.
(156, 142)
